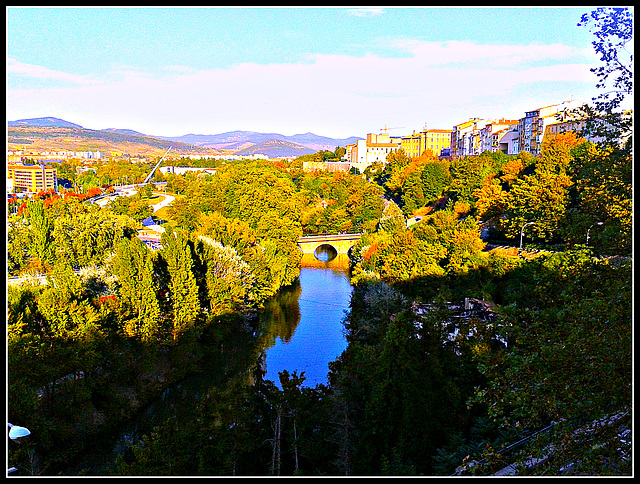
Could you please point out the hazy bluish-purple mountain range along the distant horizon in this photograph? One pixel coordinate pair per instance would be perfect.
(272, 145)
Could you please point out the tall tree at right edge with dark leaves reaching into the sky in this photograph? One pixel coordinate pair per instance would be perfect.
(603, 175)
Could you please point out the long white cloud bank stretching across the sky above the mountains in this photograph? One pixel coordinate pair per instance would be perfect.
(338, 94)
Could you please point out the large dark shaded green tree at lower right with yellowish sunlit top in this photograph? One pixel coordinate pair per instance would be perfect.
(568, 347)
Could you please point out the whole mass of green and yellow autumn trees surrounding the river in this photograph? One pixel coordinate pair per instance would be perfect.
(460, 361)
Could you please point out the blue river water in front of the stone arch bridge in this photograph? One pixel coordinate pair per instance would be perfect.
(308, 339)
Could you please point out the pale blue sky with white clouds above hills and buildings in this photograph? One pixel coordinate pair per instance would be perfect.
(335, 72)
